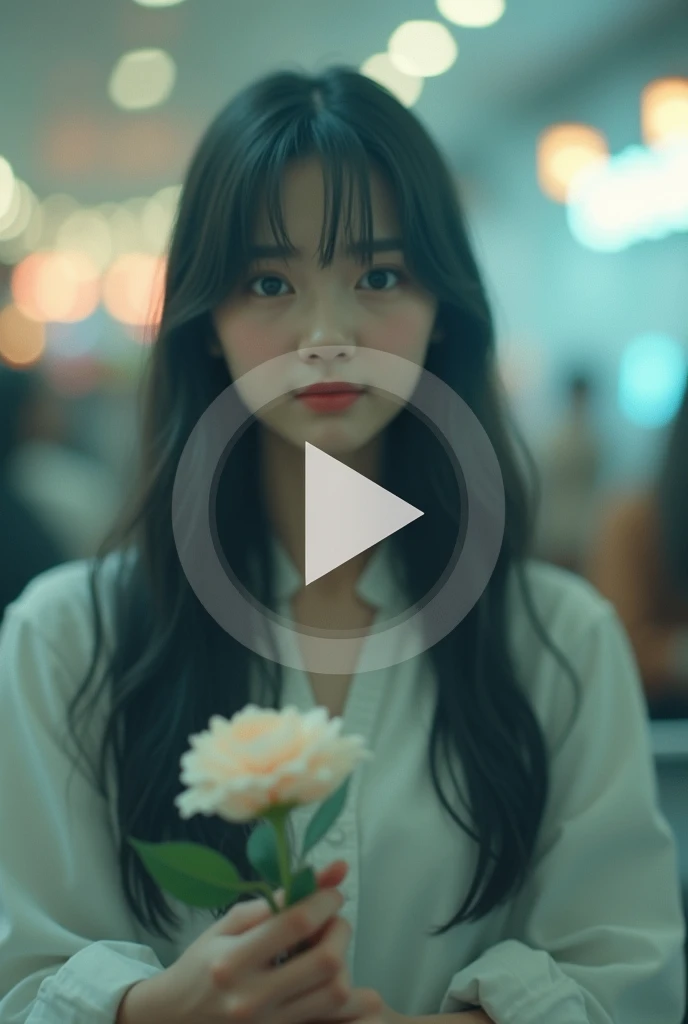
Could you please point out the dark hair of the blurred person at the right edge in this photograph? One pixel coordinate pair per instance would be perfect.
(672, 493)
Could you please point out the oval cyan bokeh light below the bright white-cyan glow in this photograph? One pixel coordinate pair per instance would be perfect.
(652, 379)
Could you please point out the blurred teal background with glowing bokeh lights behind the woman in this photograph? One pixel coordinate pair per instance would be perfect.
(567, 126)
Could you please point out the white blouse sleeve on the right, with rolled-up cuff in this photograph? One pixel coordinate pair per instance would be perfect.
(596, 934)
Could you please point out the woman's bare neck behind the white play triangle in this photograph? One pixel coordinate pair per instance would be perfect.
(283, 470)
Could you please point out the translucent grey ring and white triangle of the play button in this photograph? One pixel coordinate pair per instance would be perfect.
(346, 515)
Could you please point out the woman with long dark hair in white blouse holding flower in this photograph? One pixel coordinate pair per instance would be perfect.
(560, 901)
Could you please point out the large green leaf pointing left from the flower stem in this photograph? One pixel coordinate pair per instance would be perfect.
(192, 873)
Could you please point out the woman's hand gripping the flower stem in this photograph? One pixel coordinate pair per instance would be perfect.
(230, 974)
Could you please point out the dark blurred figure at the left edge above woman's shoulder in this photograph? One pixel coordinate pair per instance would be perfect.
(28, 547)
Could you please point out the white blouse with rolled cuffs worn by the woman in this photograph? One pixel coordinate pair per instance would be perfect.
(594, 937)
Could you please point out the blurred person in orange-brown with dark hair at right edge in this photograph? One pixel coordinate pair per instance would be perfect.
(639, 561)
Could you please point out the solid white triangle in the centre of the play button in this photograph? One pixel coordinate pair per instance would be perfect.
(347, 514)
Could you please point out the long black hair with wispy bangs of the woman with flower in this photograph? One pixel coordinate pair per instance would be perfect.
(173, 667)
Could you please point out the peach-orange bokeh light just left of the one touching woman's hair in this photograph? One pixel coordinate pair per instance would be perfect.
(60, 287)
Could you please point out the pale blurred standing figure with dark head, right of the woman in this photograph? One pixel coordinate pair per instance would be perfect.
(570, 466)
